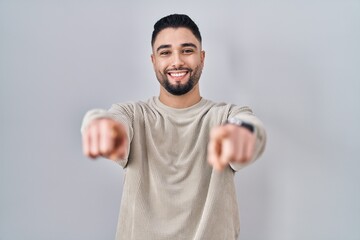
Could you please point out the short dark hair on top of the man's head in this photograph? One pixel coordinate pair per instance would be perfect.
(175, 21)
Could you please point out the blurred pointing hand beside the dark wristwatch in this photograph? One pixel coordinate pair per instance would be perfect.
(230, 143)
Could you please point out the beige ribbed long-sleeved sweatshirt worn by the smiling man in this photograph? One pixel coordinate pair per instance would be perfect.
(170, 191)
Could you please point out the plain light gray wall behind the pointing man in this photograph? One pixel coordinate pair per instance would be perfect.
(296, 63)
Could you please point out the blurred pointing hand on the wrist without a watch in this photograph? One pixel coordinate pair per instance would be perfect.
(106, 138)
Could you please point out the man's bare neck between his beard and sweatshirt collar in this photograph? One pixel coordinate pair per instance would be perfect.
(187, 100)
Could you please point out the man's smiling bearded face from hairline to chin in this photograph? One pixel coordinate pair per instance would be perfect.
(178, 60)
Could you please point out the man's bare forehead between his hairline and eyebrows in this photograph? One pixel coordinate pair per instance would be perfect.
(175, 37)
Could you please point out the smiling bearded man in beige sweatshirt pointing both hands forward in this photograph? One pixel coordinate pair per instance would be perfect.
(179, 150)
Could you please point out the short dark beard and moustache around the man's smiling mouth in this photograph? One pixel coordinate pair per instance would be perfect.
(179, 89)
